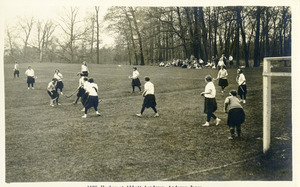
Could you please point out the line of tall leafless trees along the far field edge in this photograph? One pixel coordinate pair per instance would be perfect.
(149, 35)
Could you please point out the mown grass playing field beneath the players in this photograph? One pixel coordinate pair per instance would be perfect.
(45, 143)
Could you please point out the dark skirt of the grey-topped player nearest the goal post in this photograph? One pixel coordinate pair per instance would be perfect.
(236, 116)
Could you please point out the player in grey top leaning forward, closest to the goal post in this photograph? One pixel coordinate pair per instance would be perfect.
(236, 114)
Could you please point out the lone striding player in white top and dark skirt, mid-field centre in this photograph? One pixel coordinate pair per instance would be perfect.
(149, 98)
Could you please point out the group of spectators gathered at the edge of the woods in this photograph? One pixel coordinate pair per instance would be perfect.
(194, 63)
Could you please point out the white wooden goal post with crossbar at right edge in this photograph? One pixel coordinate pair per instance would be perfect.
(267, 74)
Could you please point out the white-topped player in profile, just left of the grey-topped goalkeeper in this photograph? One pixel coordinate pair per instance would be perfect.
(210, 104)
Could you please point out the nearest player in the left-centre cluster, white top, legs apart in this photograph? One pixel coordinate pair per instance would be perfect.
(92, 100)
